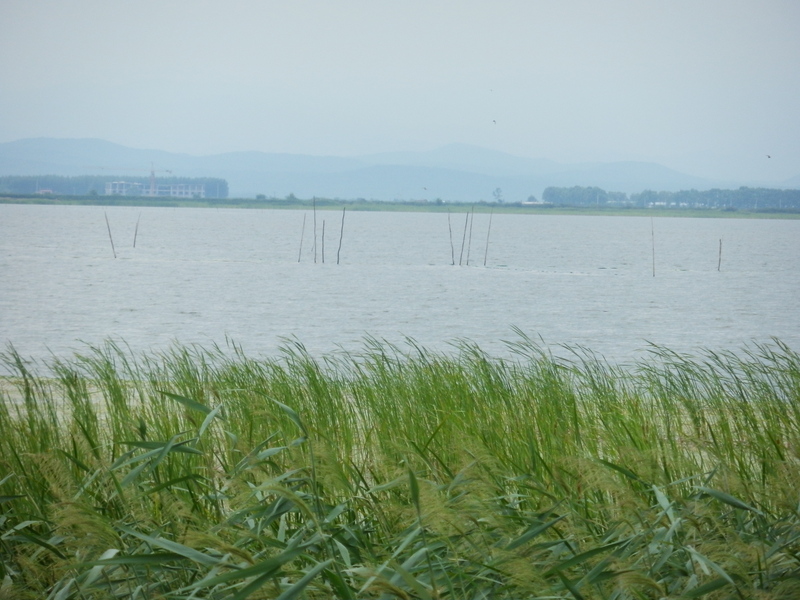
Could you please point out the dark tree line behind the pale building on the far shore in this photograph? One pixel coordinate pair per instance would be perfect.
(90, 185)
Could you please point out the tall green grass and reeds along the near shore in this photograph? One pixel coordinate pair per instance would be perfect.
(398, 472)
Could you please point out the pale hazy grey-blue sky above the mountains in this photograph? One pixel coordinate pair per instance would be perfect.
(709, 87)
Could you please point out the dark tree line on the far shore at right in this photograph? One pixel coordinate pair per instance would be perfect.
(744, 198)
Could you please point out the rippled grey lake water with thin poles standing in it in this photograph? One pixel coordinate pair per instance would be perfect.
(207, 275)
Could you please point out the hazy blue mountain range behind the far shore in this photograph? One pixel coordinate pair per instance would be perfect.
(455, 172)
